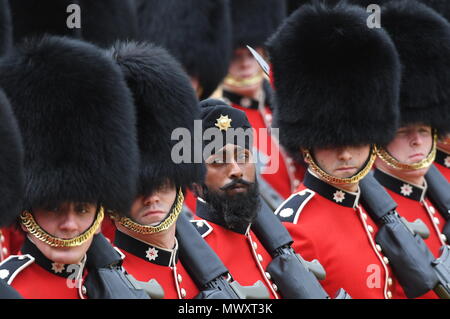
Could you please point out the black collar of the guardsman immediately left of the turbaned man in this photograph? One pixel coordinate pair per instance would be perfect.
(153, 254)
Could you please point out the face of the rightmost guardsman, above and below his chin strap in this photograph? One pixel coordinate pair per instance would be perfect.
(410, 145)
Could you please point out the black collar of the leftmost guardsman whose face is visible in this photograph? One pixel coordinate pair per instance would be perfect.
(62, 270)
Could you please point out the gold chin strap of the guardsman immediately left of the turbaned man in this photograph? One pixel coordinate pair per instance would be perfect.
(164, 225)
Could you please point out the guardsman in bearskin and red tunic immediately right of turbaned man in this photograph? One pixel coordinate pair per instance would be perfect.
(336, 84)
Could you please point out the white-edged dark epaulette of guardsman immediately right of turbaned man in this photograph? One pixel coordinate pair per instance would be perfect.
(290, 209)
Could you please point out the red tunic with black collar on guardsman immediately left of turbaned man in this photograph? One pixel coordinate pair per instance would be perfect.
(146, 262)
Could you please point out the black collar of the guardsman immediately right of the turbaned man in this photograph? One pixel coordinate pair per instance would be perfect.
(336, 195)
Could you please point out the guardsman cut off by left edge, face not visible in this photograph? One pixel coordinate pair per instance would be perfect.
(12, 182)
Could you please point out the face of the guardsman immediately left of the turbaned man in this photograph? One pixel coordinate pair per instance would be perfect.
(152, 209)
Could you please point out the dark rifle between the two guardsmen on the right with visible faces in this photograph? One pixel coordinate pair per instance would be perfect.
(412, 262)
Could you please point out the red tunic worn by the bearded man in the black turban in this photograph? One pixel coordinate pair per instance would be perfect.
(243, 254)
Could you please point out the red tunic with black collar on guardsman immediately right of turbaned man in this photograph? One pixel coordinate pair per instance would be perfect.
(329, 224)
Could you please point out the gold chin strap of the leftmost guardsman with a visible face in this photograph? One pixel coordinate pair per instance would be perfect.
(34, 229)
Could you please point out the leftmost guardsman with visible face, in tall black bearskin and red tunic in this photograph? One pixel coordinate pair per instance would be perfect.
(76, 118)
